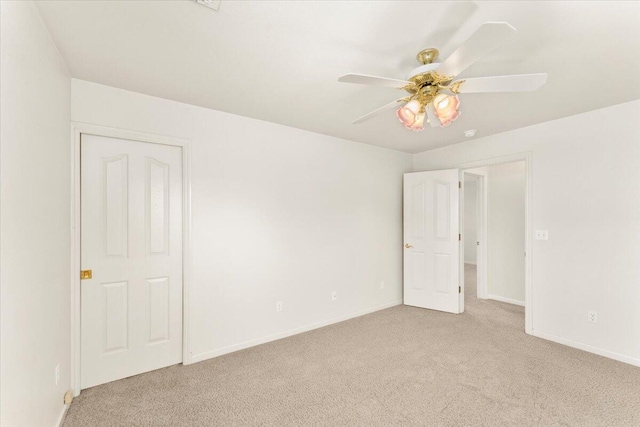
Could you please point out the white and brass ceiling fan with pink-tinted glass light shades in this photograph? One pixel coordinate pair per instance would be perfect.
(432, 90)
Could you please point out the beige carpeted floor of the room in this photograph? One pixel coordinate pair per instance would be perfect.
(402, 366)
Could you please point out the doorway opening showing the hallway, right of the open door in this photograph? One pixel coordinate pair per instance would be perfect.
(494, 230)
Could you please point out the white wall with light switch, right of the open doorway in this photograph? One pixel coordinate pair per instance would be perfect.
(586, 193)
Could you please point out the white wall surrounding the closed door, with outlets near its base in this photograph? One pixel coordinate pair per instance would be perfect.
(279, 214)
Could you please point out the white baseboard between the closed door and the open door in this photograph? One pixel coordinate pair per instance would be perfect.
(251, 343)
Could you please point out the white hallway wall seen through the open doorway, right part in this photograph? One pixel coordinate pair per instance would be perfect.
(506, 195)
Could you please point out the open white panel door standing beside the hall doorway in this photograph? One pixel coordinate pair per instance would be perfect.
(431, 240)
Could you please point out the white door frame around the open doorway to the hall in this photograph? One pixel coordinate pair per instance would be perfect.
(528, 263)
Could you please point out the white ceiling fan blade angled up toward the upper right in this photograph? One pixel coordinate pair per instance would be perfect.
(486, 38)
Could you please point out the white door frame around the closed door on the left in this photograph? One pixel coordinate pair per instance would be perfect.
(78, 129)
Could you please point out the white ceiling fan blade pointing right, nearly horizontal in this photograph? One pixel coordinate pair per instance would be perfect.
(517, 83)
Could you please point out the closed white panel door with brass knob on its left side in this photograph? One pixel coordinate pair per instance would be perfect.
(131, 238)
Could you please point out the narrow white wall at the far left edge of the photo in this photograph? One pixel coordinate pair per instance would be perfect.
(34, 220)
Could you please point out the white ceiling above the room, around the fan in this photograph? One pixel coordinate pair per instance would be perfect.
(279, 61)
